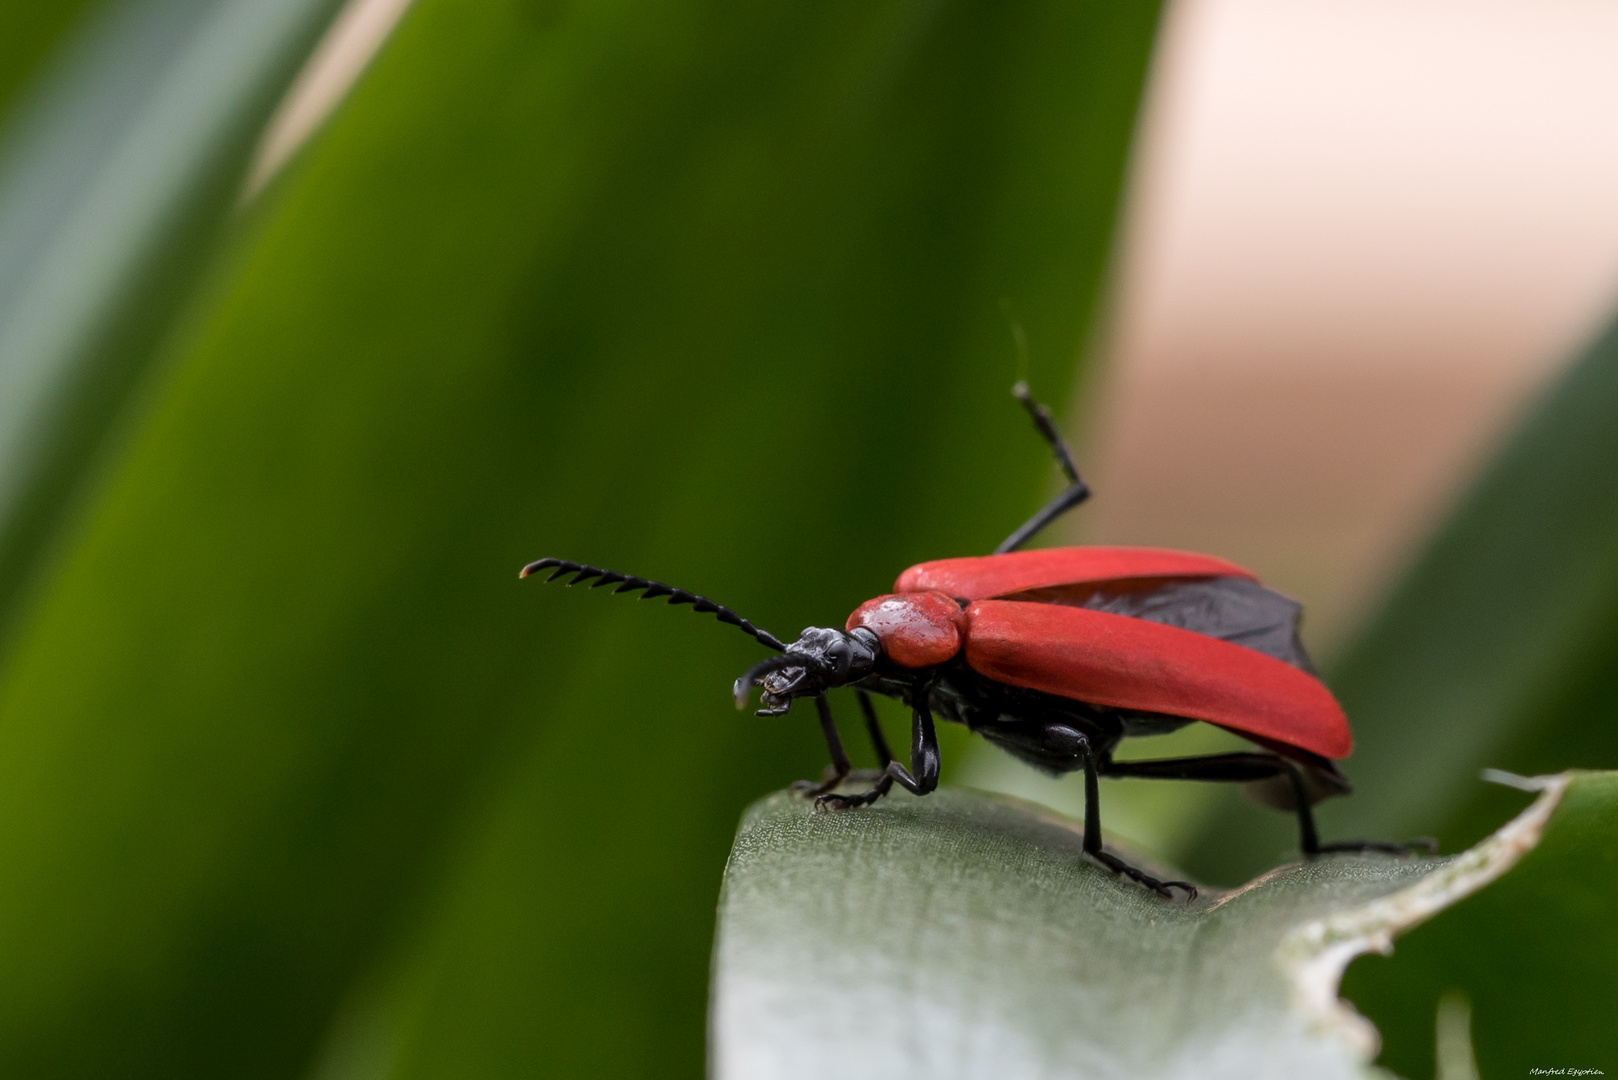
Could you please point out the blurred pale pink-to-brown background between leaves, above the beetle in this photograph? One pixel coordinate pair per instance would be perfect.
(1358, 237)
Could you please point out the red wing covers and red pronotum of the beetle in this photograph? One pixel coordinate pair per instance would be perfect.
(1099, 658)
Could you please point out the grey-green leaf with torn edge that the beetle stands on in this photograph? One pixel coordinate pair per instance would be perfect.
(967, 935)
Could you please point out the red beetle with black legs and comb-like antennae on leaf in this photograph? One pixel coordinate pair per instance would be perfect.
(1057, 657)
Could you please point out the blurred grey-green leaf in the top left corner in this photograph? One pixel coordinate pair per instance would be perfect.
(119, 177)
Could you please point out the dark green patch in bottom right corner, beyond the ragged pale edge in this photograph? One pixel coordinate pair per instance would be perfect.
(1533, 956)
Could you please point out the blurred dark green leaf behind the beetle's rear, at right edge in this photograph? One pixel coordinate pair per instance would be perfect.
(1499, 648)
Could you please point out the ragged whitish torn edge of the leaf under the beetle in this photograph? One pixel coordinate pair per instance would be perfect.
(1315, 956)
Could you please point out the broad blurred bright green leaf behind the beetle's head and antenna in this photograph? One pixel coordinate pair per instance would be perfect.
(708, 292)
